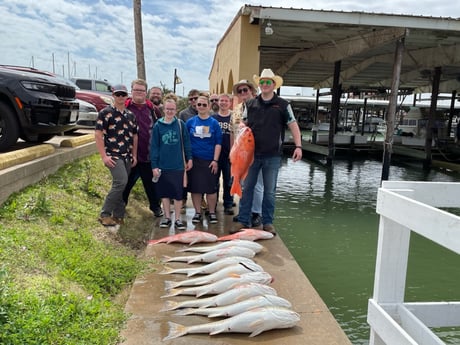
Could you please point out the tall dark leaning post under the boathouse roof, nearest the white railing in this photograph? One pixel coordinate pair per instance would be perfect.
(388, 142)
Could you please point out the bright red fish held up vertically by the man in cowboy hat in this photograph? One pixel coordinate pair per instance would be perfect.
(241, 158)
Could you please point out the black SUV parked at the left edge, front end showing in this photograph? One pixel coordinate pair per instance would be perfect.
(34, 106)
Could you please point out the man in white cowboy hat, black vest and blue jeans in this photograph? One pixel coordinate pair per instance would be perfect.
(267, 115)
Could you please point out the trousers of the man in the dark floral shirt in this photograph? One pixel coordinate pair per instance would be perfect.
(114, 204)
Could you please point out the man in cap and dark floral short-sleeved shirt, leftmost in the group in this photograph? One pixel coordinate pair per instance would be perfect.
(116, 136)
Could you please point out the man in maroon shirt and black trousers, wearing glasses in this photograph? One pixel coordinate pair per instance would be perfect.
(146, 114)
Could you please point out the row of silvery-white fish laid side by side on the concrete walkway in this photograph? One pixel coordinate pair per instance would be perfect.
(236, 289)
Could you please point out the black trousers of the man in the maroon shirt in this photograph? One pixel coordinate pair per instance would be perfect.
(144, 171)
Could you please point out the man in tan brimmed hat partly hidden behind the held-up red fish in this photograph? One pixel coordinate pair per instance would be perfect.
(245, 90)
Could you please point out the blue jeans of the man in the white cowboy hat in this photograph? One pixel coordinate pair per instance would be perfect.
(269, 165)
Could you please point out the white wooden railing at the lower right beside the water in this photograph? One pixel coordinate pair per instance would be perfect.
(404, 207)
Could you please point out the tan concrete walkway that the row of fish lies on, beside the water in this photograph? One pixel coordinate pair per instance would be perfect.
(147, 325)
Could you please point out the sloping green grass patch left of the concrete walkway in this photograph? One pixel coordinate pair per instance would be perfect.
(64, 277)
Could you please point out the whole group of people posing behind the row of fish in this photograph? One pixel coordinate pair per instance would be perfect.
(175, 155)
